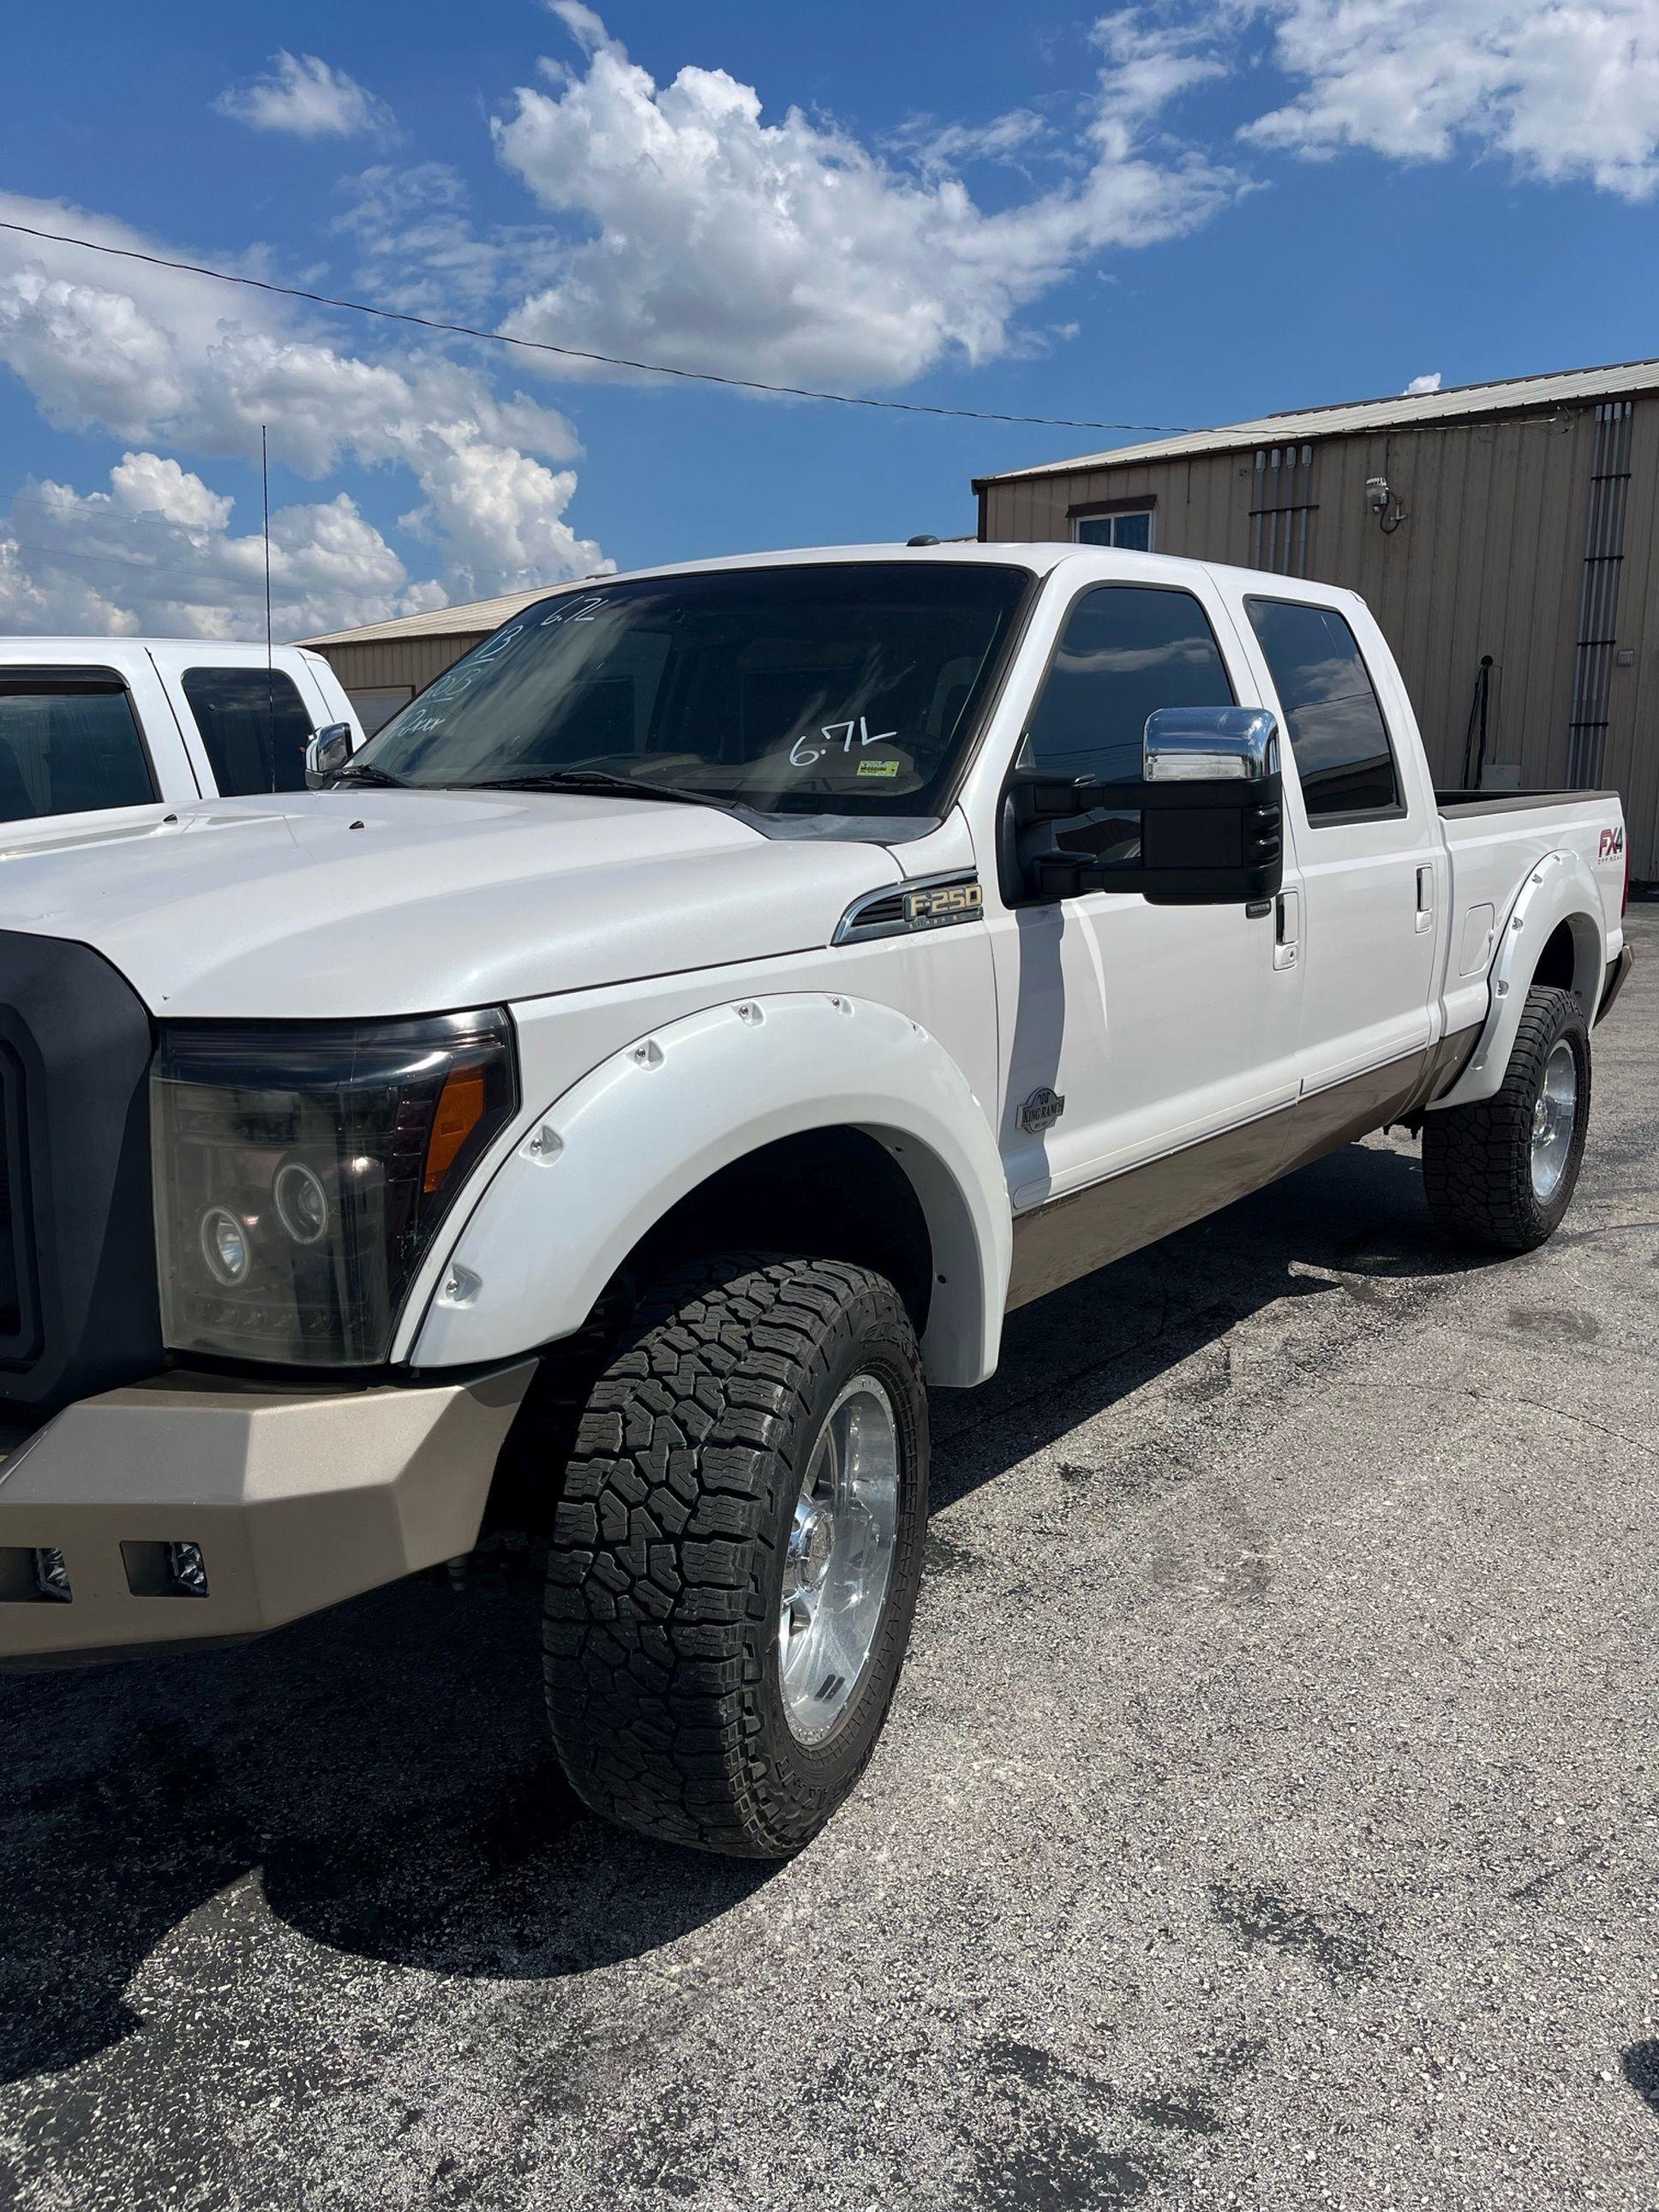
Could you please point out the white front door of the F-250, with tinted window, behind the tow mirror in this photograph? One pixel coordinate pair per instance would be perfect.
(1134, 1030)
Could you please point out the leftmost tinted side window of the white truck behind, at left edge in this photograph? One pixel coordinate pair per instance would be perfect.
(70, 747)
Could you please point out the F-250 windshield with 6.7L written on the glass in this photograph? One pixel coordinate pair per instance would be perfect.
(828, 689)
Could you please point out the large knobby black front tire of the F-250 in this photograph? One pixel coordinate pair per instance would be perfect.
(669, 1552)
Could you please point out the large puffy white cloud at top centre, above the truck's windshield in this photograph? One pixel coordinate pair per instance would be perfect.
(789, 251)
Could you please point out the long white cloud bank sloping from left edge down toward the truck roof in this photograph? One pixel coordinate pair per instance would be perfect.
(156, 357)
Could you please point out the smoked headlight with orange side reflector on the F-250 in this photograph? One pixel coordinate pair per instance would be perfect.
(302, 1171)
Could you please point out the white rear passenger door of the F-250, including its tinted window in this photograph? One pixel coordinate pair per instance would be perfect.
(1368, 835)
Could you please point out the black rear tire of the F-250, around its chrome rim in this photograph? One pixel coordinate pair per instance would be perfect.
(1479, 1160)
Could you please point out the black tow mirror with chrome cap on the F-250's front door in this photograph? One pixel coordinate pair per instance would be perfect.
(1200, 828)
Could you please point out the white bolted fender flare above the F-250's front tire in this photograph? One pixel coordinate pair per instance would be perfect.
(609, 1158)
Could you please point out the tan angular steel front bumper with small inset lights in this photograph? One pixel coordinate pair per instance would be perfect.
(293, 1499)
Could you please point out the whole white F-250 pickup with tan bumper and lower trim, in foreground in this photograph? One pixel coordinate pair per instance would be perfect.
(671, 1047)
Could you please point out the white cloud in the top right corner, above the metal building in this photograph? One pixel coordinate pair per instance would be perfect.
(1565, 90)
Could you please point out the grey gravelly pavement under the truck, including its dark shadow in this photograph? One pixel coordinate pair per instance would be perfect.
(1271, 1815)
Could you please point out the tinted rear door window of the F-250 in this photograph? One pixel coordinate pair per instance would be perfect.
(1333, 713)
